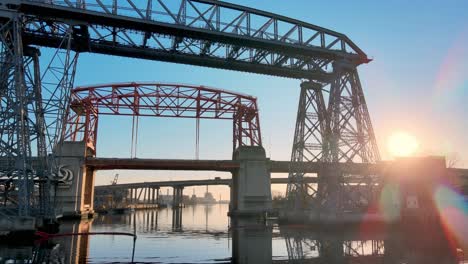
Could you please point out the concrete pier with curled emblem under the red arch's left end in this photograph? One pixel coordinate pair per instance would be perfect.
(75, 195)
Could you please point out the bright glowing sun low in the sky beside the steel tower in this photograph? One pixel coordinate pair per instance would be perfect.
(402, 144)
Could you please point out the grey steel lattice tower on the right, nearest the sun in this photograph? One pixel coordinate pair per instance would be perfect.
(333, 126)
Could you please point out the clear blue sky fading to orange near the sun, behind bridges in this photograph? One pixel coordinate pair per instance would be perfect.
(418, 83)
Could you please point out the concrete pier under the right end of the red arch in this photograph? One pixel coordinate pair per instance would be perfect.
(251, 186)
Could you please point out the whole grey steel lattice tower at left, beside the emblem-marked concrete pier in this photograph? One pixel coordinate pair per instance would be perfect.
(32, 112)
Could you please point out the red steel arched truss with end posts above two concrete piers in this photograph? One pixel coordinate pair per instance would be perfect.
(161, 100)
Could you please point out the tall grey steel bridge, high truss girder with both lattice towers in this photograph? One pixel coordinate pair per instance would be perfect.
(333, 123)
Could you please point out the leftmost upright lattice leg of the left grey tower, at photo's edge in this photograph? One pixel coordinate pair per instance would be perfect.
(16, 97)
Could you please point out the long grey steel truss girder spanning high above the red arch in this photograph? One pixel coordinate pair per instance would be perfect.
(199, 32)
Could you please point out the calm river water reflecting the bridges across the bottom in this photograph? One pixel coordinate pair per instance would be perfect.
(204, 234)
